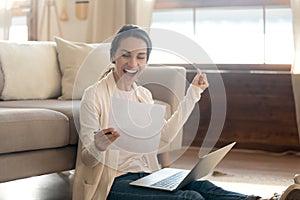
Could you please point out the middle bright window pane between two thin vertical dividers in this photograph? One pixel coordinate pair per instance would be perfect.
(231, 35)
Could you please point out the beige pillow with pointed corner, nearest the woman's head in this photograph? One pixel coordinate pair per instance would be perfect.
(81, 64)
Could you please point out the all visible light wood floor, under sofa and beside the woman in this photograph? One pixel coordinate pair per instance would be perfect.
(247, 172)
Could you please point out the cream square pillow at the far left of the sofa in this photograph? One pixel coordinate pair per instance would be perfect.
(30, 70)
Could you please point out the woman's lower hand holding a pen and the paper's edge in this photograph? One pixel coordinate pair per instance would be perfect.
(104, 138)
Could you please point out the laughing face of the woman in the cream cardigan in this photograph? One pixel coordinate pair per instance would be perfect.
(130, 59)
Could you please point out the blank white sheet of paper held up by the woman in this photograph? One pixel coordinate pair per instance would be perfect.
(139, 125)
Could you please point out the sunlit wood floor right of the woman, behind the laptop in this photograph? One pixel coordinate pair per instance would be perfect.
(250, 172)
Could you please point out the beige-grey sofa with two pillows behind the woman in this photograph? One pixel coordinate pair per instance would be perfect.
(38, 123)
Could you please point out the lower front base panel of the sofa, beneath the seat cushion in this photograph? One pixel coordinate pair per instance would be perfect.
(33, 163)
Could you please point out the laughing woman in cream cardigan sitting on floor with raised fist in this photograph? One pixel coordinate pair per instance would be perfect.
(98, 165)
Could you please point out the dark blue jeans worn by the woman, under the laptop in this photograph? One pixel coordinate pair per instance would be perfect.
(196, 190)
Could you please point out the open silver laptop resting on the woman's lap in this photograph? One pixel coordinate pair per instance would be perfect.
(171, 179)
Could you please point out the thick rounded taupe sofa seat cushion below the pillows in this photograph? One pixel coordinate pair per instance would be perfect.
(32, 129)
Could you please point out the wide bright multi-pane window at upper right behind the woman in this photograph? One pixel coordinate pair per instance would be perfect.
(255, 34)
